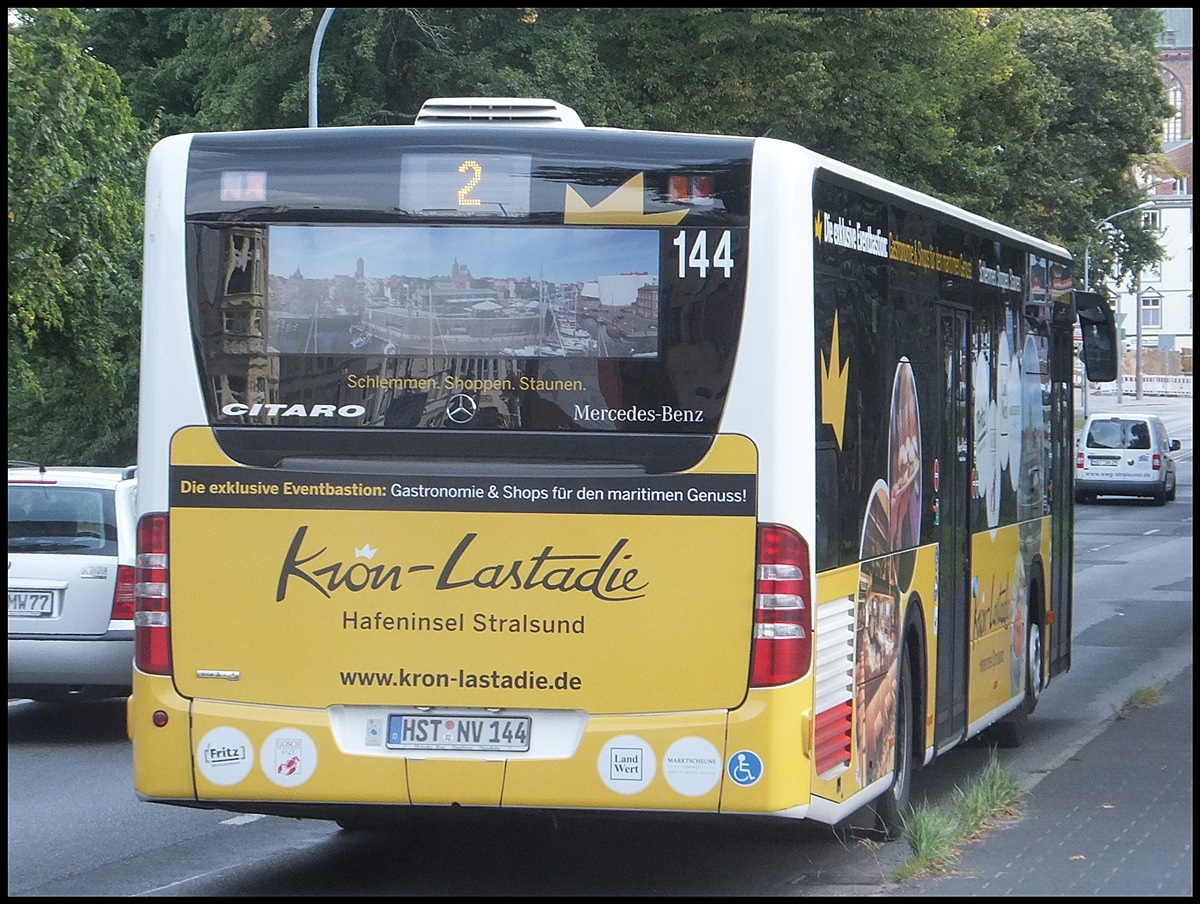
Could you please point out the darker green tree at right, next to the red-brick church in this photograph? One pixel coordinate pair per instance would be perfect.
(1102, 104)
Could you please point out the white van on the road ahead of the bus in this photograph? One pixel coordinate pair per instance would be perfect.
(1127, 454)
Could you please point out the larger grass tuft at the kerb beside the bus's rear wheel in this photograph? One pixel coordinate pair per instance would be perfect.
(937, 834)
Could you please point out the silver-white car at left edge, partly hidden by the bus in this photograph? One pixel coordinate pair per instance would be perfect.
(71, 573)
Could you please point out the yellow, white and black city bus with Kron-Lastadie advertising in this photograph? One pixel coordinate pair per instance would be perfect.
(499, 462)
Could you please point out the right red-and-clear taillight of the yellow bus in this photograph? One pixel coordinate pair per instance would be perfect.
(783, 610)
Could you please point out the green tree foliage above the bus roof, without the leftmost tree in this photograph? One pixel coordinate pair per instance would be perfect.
(1035, 117)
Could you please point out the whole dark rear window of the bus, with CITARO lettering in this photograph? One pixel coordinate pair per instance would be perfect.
(496, 327)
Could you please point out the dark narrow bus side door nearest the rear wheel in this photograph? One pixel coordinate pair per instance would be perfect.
(952, 486)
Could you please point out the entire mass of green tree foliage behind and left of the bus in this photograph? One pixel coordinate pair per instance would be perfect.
(1036, 117)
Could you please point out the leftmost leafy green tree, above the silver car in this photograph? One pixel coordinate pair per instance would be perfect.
(76, 171)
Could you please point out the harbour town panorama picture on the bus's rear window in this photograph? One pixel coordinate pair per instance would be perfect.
(464, 292)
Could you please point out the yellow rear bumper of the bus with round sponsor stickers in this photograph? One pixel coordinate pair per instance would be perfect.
(323, 763)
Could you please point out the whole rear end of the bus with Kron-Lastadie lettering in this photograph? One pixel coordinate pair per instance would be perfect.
(436, 506)
